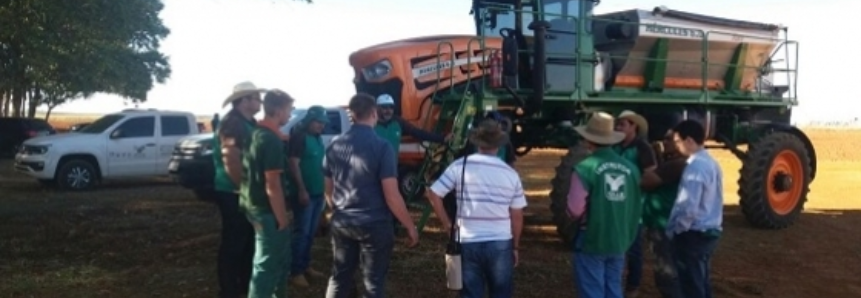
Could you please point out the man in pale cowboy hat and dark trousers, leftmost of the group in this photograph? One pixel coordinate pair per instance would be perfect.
(236, 250)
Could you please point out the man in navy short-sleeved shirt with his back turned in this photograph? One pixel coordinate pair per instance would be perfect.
(361, 188)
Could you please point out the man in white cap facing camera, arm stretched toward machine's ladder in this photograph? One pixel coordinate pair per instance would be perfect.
(391, 127)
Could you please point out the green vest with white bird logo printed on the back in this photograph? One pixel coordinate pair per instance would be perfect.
(614, 205)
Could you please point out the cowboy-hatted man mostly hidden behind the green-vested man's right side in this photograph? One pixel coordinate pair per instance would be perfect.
(636, 149)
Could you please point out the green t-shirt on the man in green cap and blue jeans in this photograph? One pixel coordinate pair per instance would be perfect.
(310, 151)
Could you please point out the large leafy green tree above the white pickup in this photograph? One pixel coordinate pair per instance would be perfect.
(55, 51)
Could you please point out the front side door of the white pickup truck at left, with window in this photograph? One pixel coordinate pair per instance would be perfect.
(132, 148)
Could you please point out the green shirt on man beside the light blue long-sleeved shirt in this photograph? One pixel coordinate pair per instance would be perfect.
(659, 202)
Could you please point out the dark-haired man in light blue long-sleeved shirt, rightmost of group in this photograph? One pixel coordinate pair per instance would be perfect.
(695, 220)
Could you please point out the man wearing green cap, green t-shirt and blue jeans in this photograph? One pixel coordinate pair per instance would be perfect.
(306, 167)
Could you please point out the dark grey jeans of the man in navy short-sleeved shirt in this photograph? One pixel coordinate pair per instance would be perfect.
(368, 247)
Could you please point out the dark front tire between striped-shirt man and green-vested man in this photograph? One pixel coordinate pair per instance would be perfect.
(559, 194)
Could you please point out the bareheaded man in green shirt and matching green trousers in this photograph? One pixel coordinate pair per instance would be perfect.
(262, 198)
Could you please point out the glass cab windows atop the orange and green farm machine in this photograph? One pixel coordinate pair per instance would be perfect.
(491, 16)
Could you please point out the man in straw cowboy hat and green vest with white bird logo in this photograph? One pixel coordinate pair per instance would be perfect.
(604, 199)
